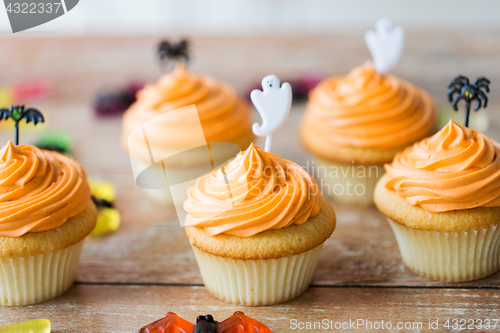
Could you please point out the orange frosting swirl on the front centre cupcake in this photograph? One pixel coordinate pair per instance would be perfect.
(256, 191)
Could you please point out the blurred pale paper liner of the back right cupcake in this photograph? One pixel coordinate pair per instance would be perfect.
(345, 186)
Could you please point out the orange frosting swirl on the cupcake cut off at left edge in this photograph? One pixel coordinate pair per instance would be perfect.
(39, 189)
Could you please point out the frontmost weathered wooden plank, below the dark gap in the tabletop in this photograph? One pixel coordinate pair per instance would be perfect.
(91, 308)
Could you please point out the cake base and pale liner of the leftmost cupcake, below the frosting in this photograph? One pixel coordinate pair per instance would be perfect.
(42, 265)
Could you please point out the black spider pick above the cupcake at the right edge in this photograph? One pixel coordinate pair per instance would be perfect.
(461, 87)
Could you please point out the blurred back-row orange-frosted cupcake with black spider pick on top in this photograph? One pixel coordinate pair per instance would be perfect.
(224, 117)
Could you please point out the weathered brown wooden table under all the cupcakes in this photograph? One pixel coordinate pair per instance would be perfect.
(134, 276)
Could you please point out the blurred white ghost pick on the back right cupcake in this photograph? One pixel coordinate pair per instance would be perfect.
(385, 44)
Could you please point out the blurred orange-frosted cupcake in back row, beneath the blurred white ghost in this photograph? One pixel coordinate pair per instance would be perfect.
(355, 123)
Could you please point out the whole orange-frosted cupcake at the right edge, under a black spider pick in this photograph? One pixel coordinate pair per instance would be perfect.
(442, 199)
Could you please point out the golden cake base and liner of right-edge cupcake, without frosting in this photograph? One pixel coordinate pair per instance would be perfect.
(452, 246)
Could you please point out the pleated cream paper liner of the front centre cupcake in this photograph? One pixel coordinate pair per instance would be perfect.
(257, 282)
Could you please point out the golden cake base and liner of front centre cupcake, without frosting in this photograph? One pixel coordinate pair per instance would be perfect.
(271, 267)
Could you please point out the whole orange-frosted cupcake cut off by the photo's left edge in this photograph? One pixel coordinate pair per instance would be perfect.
(45, 214)
